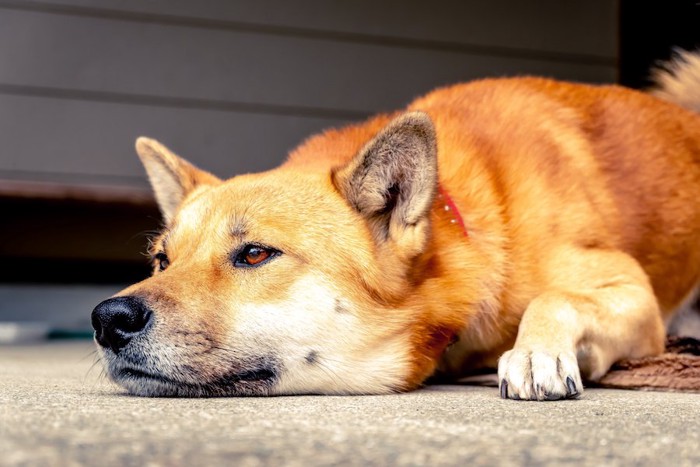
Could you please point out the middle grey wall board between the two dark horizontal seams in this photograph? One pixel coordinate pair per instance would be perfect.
(58, 51)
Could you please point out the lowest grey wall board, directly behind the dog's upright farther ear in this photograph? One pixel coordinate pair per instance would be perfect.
(92, 142)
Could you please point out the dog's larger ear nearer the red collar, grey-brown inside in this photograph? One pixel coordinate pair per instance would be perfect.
(392, 182)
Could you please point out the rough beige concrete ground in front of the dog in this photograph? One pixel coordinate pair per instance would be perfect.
(56, 410)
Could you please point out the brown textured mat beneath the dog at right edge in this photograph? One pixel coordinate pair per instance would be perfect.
(678, 369)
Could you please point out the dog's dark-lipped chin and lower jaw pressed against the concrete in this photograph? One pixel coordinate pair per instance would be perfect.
(254, 382)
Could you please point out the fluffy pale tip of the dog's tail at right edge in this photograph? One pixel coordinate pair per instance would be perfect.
(678, 80)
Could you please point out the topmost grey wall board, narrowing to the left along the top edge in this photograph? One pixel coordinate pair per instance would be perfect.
(562, 26)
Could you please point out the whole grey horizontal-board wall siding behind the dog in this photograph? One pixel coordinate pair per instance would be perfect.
(234, 85)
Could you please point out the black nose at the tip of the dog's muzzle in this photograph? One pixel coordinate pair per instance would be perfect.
(118, 320)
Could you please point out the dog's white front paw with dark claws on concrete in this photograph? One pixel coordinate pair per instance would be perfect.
(539, 375)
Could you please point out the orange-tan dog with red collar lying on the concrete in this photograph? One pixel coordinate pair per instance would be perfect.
(543, 228)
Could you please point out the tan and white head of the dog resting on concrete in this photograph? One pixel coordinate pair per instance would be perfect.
(290, 281)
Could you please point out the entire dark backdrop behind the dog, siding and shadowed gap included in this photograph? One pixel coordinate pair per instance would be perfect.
(233, 85)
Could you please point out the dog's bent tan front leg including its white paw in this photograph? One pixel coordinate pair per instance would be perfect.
(598, 308)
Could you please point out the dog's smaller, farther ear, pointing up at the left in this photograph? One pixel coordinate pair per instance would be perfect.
(171, 177)
